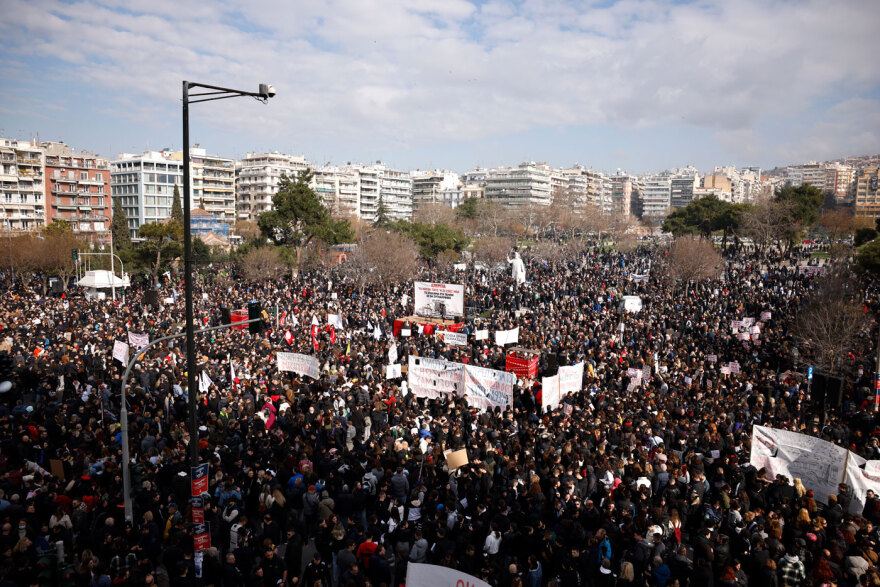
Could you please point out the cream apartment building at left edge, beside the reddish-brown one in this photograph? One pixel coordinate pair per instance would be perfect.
(22, 185)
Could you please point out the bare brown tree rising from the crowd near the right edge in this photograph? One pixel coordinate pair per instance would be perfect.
(831, 321)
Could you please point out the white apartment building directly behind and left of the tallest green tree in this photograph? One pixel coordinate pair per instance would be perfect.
(256, 181)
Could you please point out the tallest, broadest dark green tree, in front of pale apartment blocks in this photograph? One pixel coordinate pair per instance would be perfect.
(298, 216)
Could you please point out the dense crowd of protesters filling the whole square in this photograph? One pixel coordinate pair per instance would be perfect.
(343, 480)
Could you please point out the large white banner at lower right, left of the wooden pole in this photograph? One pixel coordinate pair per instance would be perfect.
(819, 464)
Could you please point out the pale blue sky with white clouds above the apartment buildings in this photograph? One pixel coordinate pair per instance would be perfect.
(640, 85)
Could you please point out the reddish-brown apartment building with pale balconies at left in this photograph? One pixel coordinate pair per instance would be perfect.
(78, 190)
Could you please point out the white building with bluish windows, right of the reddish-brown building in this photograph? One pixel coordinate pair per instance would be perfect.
(145, 186)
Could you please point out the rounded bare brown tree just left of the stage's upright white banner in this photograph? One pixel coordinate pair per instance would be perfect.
(383, 256)
